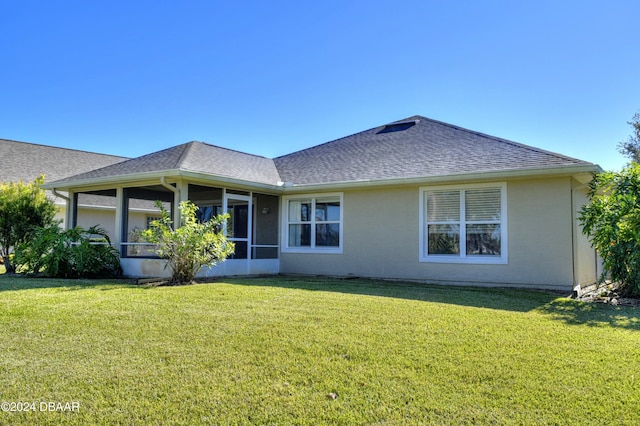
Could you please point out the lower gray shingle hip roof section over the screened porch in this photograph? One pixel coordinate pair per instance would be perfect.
(196, 157)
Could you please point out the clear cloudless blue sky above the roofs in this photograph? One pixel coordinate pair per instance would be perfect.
(270, 78)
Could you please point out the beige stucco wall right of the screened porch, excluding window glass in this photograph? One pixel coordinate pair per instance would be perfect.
(386, 233)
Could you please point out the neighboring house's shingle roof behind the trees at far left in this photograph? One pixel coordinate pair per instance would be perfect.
(27, 161)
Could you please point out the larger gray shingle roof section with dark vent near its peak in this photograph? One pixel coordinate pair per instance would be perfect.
(425, 149)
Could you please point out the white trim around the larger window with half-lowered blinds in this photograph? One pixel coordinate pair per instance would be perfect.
(463, 257)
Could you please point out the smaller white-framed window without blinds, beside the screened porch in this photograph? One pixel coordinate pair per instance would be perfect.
(312, 223)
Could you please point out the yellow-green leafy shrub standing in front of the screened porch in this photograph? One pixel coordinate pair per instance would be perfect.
(190, 247)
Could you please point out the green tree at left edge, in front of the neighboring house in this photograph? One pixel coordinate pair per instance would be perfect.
(23, 208)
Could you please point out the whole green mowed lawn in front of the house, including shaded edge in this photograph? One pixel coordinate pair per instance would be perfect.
(272, 350)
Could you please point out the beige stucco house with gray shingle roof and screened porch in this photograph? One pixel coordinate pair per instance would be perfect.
(416, 199)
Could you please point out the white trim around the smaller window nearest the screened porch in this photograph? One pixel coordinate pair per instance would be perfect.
(284, 208)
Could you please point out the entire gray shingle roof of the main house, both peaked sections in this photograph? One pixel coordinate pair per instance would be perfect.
(413, 148)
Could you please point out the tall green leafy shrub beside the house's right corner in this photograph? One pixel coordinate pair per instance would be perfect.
(612, 221)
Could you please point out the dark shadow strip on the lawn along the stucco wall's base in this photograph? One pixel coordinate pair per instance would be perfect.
(556, 306)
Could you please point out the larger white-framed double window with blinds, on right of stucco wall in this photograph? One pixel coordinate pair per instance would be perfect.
(464, 224)
